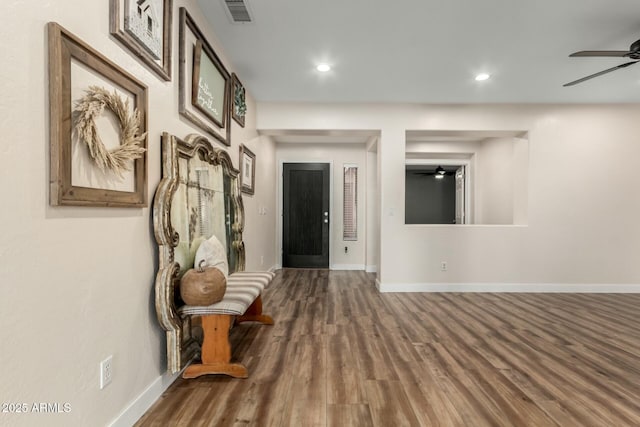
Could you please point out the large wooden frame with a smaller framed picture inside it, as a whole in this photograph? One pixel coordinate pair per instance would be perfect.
(204, 86)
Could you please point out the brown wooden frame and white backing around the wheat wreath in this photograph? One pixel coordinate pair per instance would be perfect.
(75, 180)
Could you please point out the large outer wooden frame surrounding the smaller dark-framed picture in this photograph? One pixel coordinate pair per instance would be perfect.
(193, 47)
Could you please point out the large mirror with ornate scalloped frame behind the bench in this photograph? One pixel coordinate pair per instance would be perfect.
(198, 196)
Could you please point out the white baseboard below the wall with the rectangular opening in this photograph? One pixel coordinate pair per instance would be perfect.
(510, 287)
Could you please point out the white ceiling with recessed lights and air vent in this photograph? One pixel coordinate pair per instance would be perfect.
(428, 51)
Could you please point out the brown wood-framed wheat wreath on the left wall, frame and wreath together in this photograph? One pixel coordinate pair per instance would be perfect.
(98, 125)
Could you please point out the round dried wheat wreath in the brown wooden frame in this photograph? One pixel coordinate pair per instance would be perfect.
(91, 106)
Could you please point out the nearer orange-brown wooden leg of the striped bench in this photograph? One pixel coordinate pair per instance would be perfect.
(216, 350)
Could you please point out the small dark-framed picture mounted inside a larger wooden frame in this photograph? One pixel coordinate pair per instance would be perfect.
(208, 87)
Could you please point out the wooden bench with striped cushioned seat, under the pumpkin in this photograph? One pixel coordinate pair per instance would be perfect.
(242, 302)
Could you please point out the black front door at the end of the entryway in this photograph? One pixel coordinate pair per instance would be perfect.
(305, 222)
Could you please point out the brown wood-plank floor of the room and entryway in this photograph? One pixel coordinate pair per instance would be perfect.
(342, 354)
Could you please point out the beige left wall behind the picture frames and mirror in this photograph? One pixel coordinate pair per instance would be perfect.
(77, 283)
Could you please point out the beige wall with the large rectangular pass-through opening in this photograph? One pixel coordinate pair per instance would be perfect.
(582, 212)
